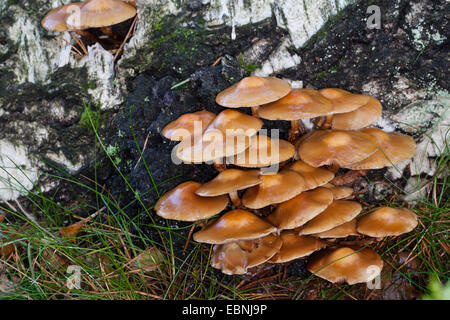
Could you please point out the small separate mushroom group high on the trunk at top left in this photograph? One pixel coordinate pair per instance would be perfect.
(80, 17)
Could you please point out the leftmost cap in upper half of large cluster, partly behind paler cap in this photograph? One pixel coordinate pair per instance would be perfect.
(176, 130)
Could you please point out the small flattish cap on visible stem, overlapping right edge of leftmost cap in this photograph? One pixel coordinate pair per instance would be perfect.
(228, 181)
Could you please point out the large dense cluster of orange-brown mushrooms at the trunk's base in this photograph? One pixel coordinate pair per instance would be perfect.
(307, 212)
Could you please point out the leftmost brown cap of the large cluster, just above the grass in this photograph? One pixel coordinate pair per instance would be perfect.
(183, 204)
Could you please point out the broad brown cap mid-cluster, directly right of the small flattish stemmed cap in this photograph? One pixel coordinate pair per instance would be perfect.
(275, 188)
